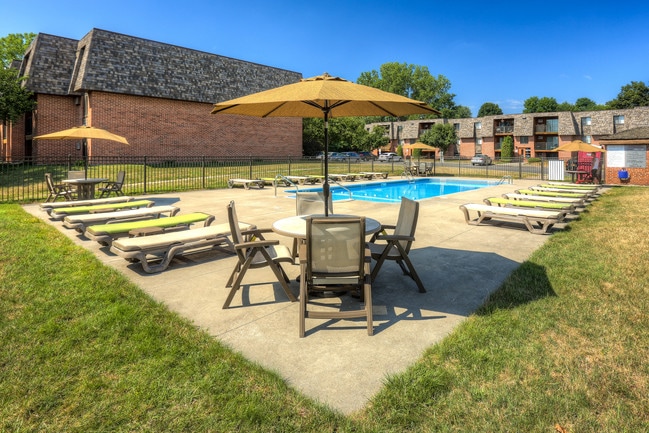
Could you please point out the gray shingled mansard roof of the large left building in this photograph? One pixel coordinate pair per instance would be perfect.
(117, 63)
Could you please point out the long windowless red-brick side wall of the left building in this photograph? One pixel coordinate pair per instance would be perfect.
(163, 127)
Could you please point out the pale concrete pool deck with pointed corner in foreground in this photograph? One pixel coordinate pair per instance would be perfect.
(336, 363)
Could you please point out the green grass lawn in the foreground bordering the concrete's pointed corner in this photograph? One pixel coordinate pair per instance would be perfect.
(561, 346)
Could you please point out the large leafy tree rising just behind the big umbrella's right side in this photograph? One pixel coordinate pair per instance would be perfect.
(412, 81)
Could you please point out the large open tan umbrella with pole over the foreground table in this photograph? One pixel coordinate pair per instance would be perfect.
(323, 96)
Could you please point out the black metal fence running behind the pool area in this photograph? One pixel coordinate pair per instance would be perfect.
(24, 182)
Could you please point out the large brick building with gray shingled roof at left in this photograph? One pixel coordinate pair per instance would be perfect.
(158, 96)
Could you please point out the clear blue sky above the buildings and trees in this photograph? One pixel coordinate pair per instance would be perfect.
(499, 51)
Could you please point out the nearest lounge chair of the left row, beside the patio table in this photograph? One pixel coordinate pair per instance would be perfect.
(156, 252)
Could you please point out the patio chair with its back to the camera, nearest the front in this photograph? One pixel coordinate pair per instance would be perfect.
(335, 258)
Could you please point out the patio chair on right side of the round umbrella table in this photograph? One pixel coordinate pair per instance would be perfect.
(398, 243)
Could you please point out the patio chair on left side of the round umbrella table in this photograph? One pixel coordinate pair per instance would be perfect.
(253, 254)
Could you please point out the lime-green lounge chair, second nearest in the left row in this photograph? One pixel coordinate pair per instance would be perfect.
(105, 233)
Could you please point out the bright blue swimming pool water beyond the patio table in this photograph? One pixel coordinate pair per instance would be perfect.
(392, 191)
